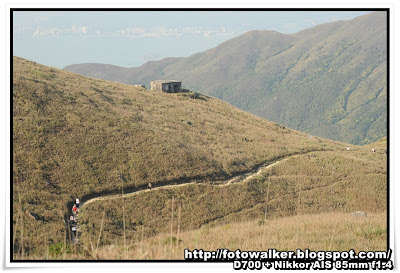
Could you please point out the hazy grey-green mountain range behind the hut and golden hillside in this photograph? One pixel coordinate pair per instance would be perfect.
(329, 80)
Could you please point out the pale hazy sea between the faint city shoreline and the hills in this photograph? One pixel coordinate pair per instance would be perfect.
(60, 51)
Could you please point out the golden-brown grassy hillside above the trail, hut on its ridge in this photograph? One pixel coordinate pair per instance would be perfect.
(81, 137)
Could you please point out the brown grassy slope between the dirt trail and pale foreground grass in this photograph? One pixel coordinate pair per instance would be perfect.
(318, 182)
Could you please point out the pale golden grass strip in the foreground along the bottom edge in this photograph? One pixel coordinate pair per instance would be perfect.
(327, 231)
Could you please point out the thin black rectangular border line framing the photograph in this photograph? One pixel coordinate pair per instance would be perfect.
(192, 9)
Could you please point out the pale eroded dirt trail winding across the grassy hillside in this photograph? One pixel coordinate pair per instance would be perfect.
(237, 179)
